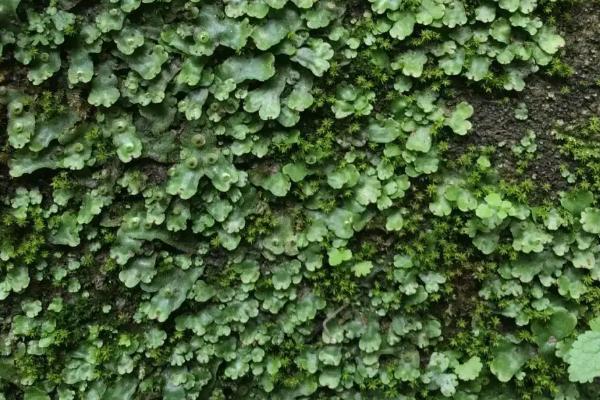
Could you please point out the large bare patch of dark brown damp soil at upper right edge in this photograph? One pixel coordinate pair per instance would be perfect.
(553, 103)
